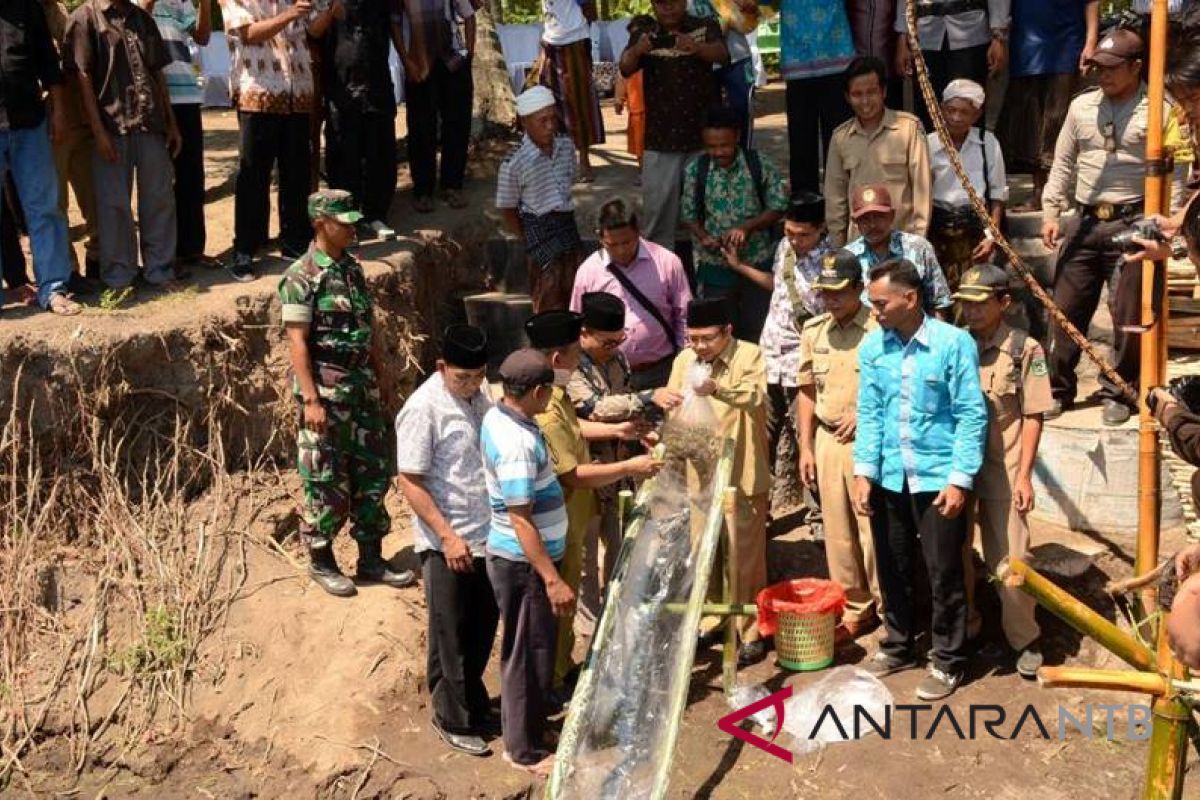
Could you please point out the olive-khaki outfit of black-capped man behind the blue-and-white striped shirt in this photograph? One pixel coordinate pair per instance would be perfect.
(568, 450)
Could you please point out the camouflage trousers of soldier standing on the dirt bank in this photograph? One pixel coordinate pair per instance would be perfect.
(345, 473)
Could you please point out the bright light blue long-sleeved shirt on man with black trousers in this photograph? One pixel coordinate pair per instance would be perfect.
(922, 417)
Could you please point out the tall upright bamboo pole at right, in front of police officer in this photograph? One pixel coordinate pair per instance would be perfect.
(1151, 371)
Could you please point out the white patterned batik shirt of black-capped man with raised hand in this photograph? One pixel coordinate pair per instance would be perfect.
(781, 341)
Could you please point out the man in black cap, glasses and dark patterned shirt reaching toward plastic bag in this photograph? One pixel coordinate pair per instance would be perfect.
(601, 392)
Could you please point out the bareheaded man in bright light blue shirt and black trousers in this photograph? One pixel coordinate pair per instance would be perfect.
(922, 429)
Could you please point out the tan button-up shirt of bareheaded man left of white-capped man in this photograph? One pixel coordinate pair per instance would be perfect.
(897, 155)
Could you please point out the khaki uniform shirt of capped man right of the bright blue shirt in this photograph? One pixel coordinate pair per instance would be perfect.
(1013, 392)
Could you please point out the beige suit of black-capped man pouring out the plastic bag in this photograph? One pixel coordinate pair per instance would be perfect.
(741, 408)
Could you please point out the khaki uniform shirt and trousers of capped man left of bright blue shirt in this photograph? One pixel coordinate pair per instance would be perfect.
(830, 364)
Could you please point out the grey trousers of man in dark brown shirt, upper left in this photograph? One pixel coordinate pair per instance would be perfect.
(142, 158)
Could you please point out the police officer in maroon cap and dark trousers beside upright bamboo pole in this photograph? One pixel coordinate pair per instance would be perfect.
(1103, 142)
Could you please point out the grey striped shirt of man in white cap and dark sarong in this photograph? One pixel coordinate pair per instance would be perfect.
(535, 183)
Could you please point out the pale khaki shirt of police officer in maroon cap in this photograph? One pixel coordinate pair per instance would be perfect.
(1083, 148)
